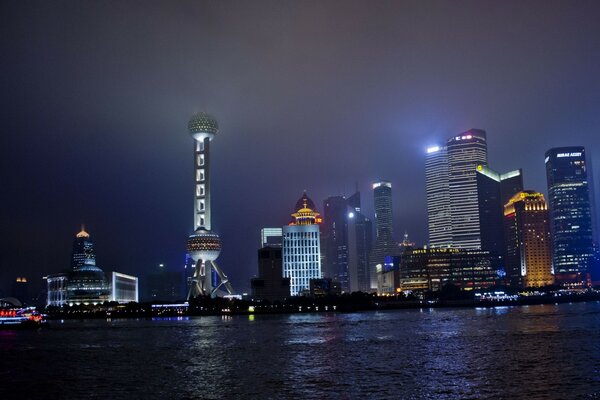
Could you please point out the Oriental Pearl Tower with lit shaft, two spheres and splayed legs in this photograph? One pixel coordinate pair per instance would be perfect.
(204, 245)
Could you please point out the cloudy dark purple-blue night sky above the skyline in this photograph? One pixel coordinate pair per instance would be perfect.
(316, 95)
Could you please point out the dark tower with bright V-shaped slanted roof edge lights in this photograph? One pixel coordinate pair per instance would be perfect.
(494, 190)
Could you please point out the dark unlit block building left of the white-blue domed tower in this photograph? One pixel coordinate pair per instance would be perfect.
(270, 284)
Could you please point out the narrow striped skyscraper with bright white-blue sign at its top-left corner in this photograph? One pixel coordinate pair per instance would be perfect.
(438, 197)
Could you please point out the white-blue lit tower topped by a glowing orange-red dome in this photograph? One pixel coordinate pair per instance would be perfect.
(301, 247)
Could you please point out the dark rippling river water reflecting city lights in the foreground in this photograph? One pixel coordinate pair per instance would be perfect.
(533, 352)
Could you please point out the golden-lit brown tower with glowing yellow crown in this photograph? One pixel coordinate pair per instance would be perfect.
(528, 253)
